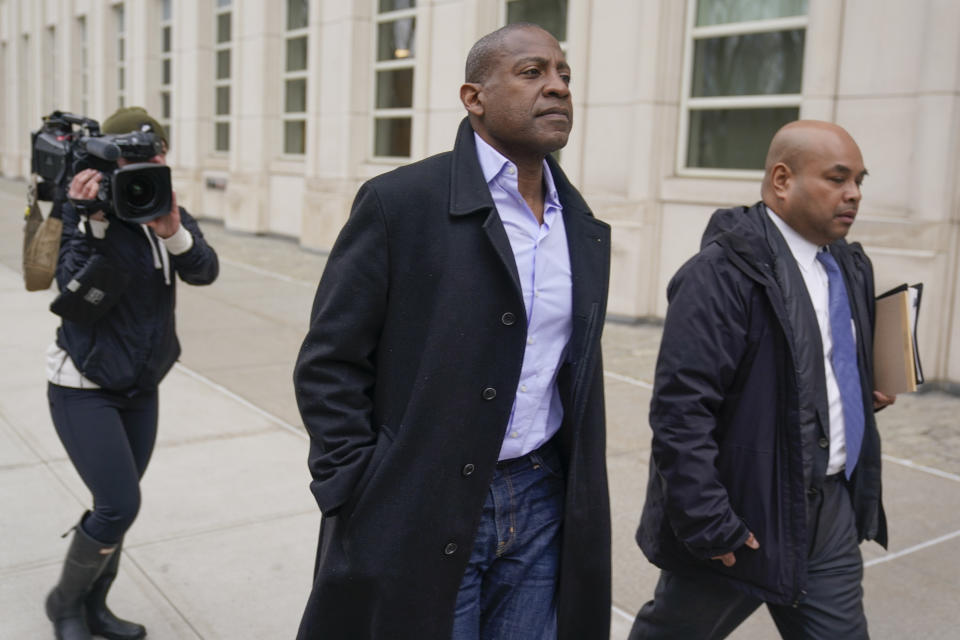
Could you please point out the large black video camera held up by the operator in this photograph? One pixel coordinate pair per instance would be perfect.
(138, 192)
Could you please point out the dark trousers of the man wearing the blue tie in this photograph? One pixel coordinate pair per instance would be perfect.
(687, 607)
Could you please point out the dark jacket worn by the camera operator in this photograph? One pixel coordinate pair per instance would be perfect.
(133, 346)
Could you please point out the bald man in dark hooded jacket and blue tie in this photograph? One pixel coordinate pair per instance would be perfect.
(765, 463)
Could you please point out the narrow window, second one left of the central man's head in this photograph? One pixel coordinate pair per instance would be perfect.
(295, 78)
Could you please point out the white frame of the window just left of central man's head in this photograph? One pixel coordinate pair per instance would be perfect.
(391, 113)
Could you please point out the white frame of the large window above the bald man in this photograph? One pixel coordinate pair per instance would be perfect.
(692, 33)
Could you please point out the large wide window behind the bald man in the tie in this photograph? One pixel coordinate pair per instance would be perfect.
(744, 64)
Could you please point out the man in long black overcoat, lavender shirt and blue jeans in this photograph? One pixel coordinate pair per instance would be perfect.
(451, 381)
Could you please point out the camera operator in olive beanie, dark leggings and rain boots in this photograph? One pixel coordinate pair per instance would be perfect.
(103, 377)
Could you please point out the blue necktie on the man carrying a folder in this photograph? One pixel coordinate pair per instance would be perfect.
(844, 360)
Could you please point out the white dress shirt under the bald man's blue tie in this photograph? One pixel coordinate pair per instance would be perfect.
(815, 277)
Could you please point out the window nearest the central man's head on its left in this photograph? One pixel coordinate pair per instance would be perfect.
(396, 25)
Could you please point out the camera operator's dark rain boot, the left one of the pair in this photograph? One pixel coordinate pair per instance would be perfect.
(85, 560)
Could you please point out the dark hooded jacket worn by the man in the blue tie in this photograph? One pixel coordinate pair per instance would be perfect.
(739, 410)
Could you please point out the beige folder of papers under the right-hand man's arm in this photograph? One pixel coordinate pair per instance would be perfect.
(896, 362)
